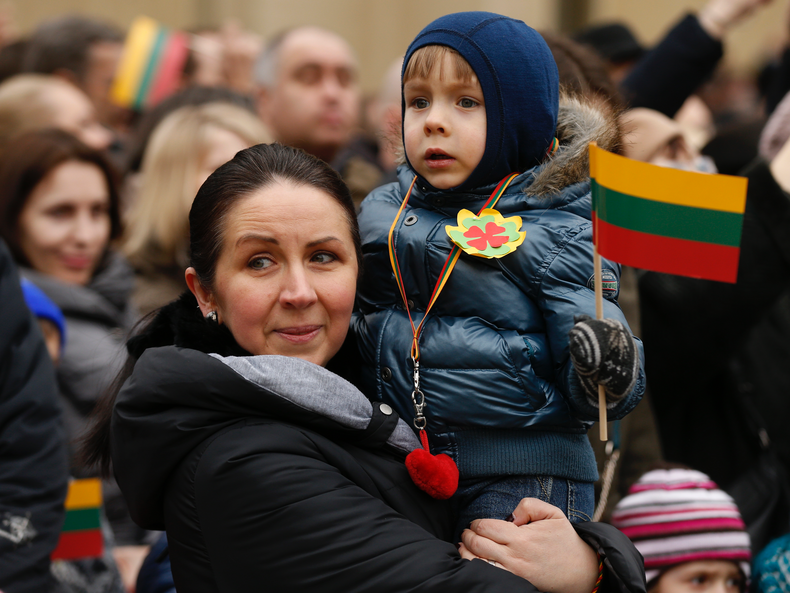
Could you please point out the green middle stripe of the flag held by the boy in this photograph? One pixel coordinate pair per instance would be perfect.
(667, 220)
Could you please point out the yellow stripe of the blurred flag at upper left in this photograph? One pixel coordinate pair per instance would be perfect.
(136, 52)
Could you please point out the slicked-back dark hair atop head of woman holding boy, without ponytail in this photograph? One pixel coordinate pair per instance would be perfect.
(250, 170)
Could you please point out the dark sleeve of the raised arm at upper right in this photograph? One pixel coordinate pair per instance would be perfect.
(673, 69)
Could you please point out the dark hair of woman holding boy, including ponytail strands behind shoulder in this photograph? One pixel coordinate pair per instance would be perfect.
(250, 170)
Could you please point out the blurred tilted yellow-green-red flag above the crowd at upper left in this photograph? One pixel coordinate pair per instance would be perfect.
(151, 66)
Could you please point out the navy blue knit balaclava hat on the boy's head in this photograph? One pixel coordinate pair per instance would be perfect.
(520, 85)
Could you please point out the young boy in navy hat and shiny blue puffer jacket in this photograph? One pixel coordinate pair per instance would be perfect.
(501, 395)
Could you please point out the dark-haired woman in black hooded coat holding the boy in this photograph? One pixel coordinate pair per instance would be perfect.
(237, 431)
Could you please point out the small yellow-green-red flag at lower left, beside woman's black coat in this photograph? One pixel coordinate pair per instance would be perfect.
(81, 534)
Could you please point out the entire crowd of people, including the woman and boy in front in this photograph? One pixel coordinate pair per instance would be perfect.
(248, 310)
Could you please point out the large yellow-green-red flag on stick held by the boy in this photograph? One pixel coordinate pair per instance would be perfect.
(666, 220)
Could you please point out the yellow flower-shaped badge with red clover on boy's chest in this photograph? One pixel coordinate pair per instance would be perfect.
(488, 235)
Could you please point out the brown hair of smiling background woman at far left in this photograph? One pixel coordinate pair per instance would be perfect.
(27, 160)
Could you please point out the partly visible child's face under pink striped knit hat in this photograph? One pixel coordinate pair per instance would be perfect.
(701, 576)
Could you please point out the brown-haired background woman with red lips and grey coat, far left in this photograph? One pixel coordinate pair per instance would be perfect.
(58, 215)
